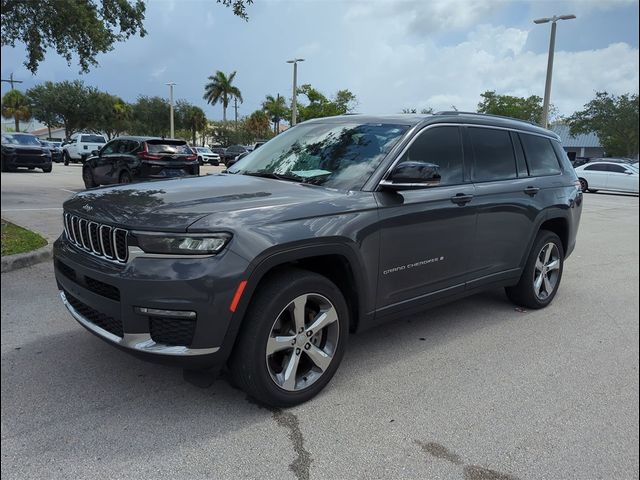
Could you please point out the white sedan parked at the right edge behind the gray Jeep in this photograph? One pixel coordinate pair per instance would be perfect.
(603, 175)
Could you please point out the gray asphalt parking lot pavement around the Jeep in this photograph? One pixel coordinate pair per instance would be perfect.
(476, 390)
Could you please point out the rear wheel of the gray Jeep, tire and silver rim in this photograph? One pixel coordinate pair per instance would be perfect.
(542, 273)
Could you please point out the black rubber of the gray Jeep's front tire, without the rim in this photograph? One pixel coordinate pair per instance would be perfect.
(264, 321)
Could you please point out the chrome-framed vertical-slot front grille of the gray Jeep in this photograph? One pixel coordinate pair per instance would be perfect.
(99, 239)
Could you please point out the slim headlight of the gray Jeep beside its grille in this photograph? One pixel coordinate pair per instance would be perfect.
(195, 244)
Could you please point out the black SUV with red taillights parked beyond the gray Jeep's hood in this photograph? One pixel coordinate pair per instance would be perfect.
(128, 159)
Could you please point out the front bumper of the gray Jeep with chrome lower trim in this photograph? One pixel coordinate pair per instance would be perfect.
(106, 298)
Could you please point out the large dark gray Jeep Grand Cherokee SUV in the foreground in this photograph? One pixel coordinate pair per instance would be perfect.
(333, 226)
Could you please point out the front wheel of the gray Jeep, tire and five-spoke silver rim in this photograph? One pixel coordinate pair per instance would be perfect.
(263, 375)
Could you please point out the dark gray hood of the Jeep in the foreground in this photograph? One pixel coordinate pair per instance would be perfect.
(174, 205)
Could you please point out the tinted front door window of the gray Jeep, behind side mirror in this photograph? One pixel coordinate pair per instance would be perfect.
(441, 146)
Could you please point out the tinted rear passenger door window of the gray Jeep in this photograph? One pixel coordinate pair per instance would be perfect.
(493, 153)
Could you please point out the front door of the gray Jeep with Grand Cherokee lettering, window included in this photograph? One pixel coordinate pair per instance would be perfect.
(426, 234)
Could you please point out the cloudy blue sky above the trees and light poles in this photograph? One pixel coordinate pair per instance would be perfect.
(390, 54)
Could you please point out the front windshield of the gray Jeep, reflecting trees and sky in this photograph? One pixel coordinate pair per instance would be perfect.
(336, 155)
